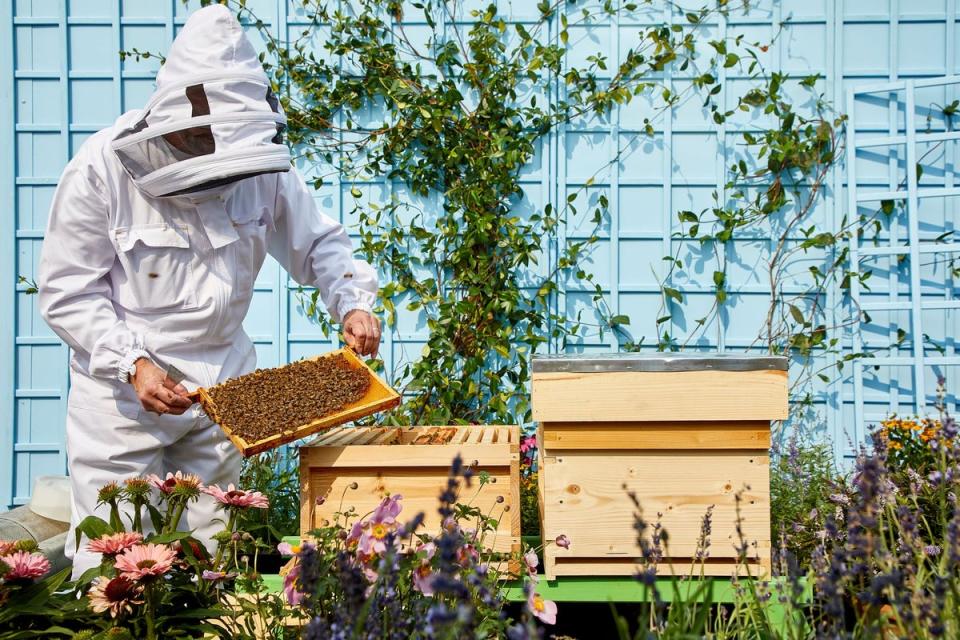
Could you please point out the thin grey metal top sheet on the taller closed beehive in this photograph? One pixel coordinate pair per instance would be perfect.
(646, 362)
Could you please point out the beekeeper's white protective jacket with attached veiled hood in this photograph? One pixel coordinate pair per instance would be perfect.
(128, 270)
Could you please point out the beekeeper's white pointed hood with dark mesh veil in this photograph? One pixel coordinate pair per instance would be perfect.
(213, 119)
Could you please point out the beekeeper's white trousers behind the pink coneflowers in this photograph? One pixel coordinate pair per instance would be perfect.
(113, 438)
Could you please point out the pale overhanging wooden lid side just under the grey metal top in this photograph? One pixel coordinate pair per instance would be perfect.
(623, 396)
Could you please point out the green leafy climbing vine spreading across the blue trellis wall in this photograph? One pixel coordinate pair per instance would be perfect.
(446, 118)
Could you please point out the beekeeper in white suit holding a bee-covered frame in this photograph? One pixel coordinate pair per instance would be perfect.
(157, 231)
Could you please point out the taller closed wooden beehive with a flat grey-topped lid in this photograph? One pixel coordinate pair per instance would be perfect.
(682, 432)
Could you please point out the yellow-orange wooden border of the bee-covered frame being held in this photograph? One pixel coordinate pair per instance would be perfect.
(379, 397)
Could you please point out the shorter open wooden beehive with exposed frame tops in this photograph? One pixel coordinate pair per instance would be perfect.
(413, 462)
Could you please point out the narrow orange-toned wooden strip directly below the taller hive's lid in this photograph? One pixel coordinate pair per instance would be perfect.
(657, 435)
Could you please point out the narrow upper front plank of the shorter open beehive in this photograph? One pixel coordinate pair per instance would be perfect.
(391, 455)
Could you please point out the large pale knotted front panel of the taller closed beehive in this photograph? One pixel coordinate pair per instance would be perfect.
(585, 498)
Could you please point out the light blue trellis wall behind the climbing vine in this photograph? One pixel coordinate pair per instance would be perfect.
(63, 80)
